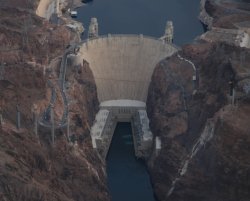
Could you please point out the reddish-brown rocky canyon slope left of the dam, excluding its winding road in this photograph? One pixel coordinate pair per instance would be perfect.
(31, 168)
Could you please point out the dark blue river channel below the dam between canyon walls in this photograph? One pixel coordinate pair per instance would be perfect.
(128, 179)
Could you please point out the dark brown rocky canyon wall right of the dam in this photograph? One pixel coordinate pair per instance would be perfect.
(205, 138)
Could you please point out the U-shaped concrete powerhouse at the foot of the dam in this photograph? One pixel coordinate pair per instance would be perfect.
(105, 122)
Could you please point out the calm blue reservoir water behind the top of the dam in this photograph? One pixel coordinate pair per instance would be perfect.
(144, 17)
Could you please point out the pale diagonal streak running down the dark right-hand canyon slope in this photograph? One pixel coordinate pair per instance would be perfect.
(205, 137)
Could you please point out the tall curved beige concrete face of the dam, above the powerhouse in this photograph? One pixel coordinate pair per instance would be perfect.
(122, 65)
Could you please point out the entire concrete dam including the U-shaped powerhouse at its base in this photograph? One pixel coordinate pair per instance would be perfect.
(122, 67)
